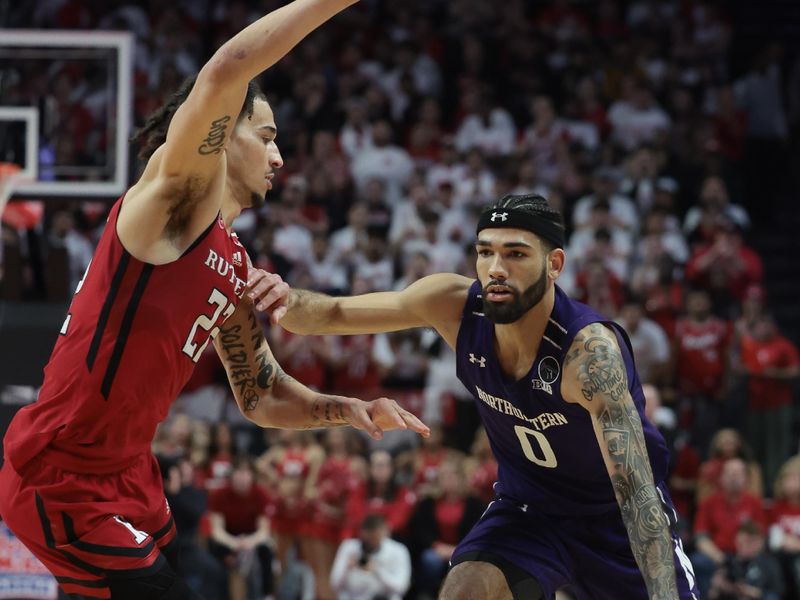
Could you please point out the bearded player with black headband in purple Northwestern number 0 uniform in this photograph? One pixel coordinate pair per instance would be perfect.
(581, 510)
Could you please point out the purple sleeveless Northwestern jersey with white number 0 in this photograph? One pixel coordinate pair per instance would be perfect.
(546, 449)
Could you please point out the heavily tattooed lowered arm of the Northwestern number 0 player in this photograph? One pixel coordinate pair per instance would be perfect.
(595, 377)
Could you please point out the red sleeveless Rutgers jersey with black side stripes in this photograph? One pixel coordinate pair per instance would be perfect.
(127, 347)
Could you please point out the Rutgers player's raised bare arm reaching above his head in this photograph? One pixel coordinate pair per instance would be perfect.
(175, 183)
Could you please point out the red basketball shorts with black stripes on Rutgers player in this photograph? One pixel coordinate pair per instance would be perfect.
(89, 529)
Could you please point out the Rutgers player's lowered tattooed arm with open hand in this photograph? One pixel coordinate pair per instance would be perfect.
(270, 398)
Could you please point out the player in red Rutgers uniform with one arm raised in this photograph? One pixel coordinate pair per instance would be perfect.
(79, 485)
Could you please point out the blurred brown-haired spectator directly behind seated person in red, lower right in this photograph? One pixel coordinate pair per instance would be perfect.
(725, 445)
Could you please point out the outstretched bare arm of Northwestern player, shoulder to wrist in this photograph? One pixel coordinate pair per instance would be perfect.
(434, 301)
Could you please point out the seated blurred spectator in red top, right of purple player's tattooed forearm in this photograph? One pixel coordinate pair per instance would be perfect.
(718, 520)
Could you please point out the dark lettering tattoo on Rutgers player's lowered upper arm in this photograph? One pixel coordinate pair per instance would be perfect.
(250, 379)
